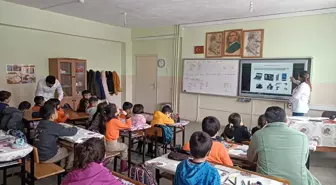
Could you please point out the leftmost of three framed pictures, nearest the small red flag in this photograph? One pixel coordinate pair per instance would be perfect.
(214, 45)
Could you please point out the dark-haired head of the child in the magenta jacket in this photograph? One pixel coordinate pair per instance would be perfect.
(92, 150)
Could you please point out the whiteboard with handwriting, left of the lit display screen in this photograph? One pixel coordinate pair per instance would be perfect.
(211, 76)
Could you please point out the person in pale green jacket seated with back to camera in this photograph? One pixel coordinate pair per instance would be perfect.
(281, 151)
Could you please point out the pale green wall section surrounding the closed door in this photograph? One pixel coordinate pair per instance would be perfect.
(153, 42)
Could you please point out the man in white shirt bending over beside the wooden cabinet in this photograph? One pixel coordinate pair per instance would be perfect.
(47, 87)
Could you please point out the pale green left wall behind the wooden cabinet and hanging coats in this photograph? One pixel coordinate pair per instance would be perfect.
(31, 36)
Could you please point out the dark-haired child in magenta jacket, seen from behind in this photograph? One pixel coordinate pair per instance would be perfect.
(88, 168)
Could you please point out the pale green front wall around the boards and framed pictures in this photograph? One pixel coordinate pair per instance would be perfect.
(308, 36)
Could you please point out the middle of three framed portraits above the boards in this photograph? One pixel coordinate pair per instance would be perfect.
(232, 40)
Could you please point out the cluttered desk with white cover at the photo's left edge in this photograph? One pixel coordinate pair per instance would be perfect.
(10, 157)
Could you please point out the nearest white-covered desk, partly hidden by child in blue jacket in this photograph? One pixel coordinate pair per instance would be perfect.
(226, 173)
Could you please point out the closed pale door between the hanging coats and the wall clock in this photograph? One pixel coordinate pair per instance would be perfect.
(145, 83)
